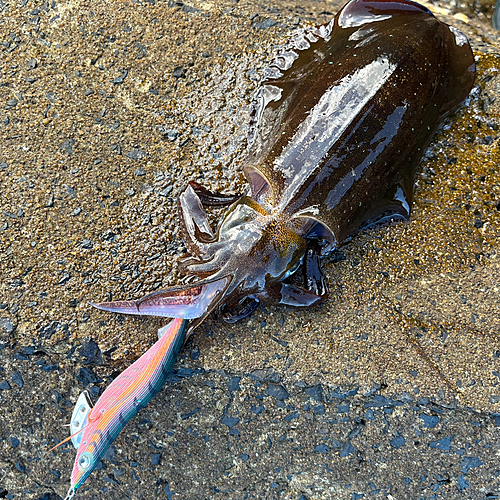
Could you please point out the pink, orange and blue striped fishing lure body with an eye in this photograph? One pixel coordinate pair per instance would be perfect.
(131, 391)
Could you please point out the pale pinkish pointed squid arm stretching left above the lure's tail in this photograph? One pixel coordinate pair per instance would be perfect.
(186, 302)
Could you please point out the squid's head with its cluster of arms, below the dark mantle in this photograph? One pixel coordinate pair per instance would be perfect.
(244, 262)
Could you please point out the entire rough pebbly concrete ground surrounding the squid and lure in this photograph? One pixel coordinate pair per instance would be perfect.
(388, 390)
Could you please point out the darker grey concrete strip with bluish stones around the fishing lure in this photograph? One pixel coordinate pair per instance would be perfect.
(205, 437)
